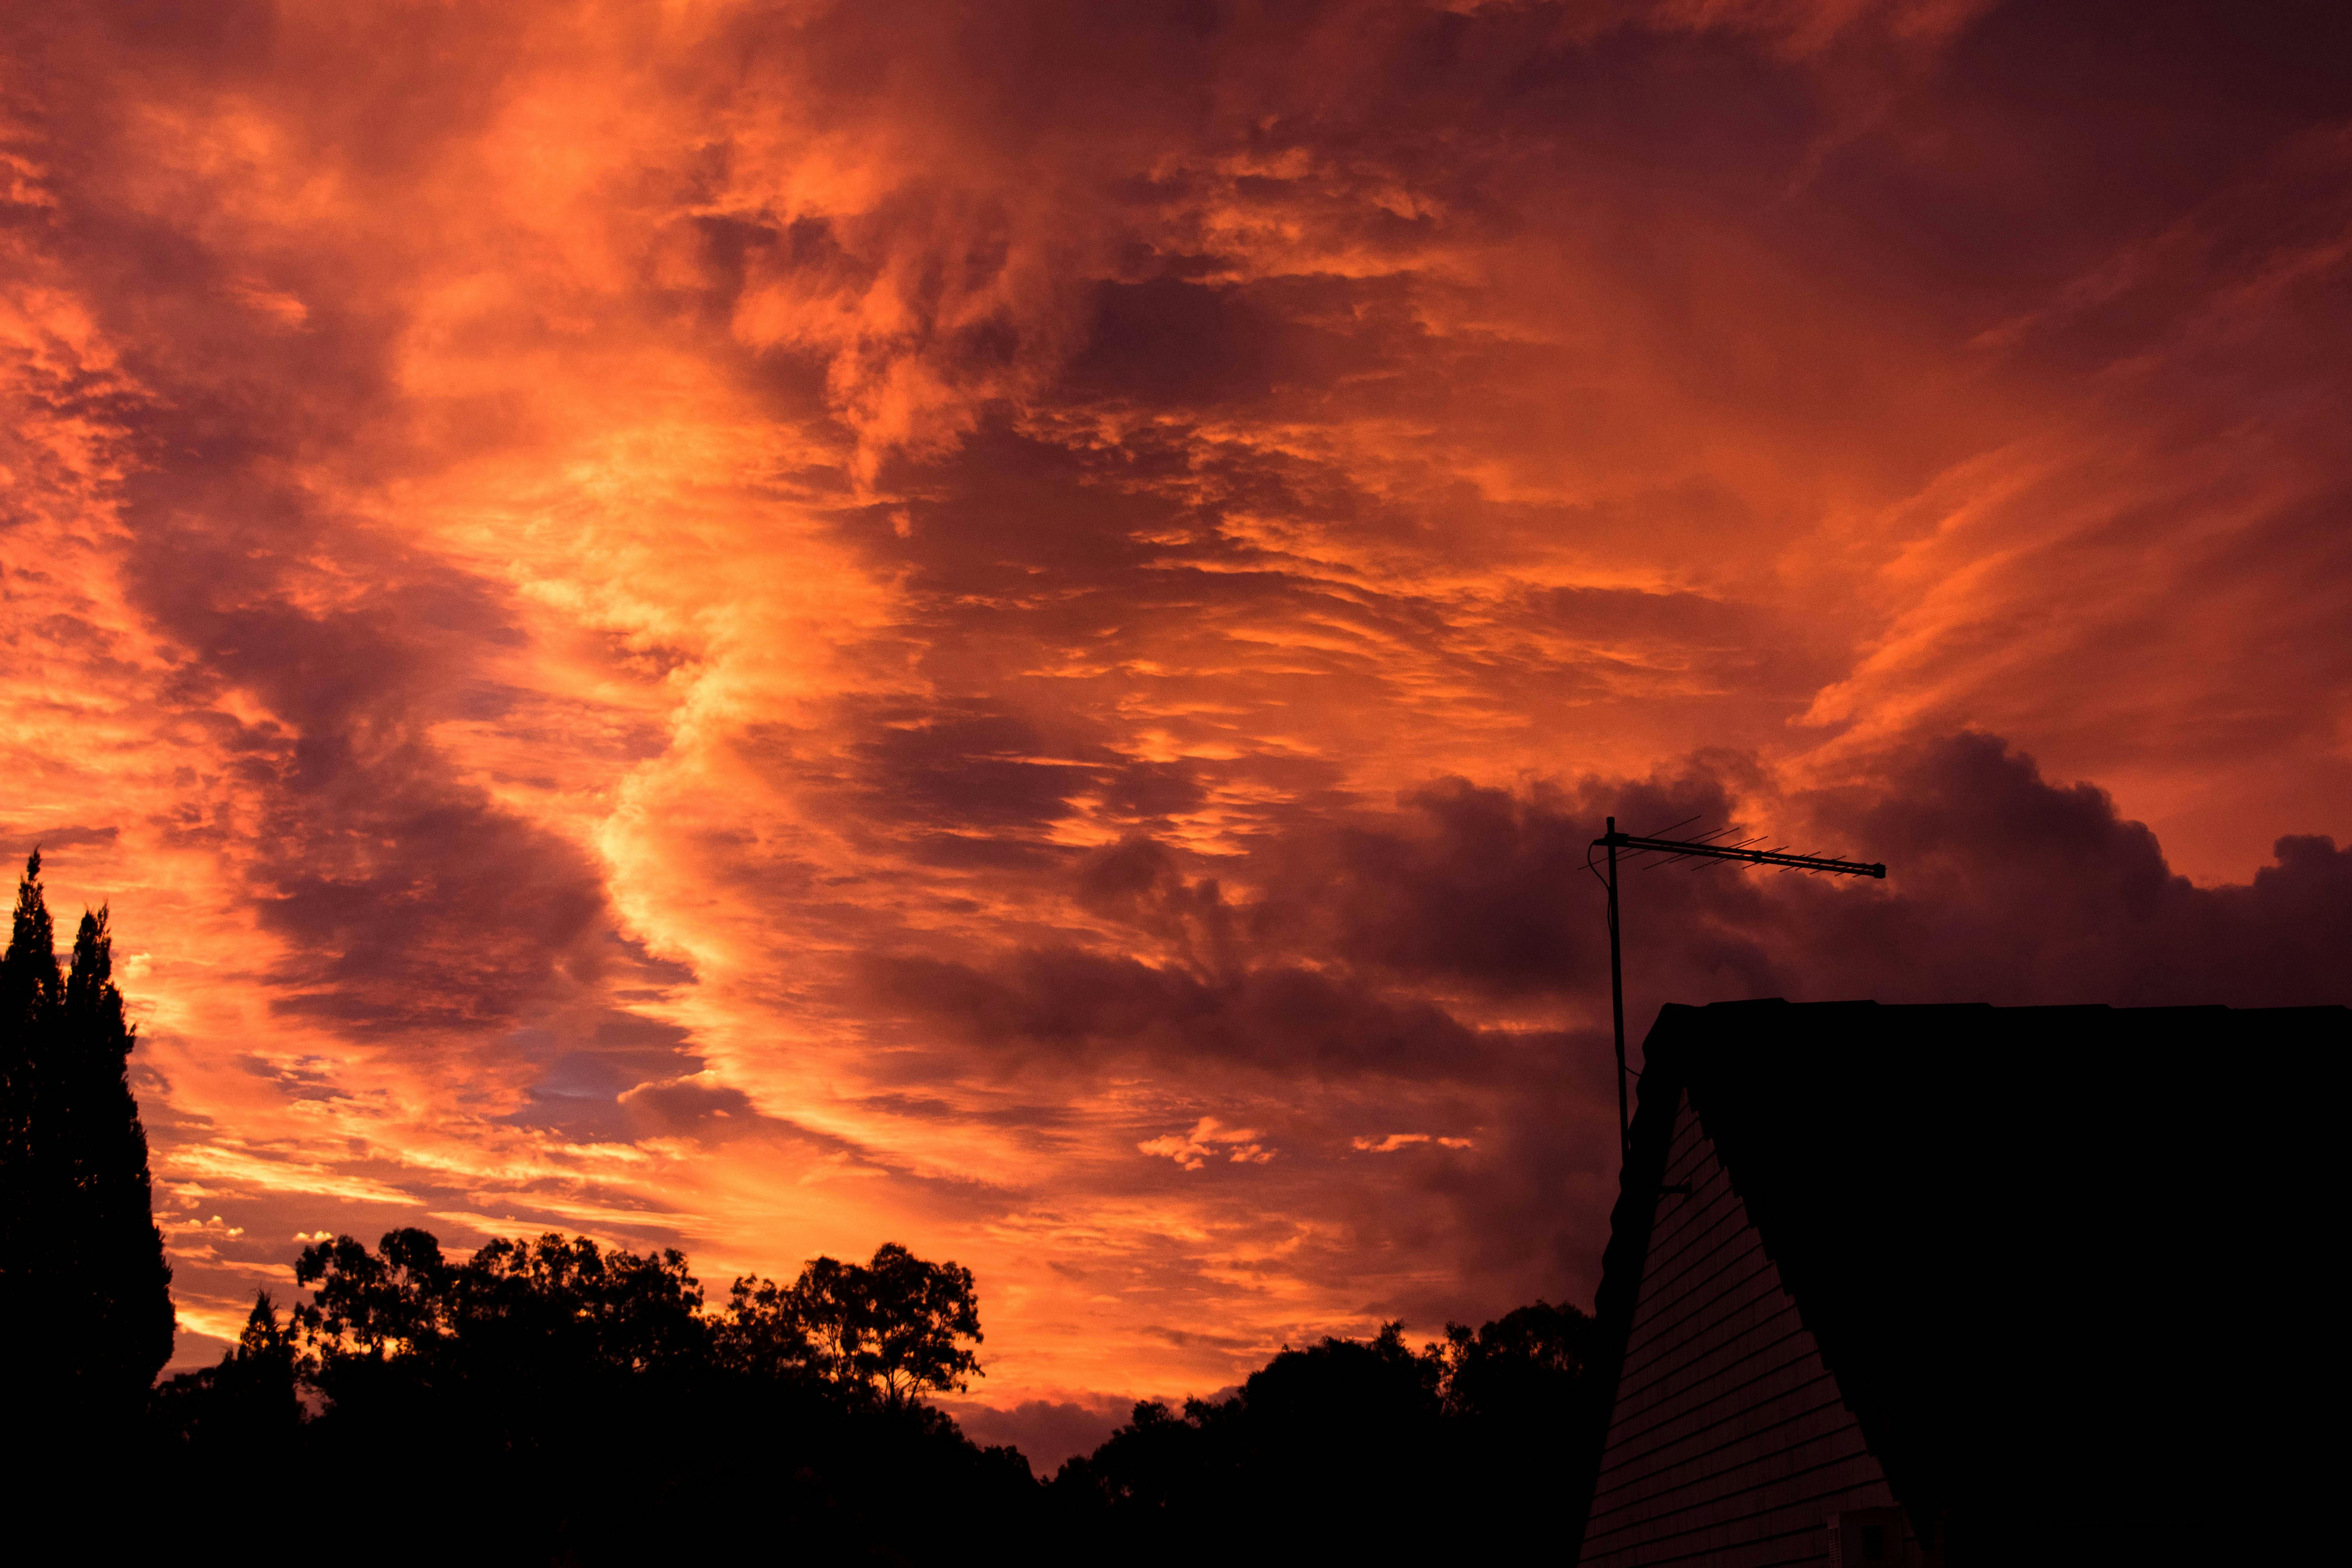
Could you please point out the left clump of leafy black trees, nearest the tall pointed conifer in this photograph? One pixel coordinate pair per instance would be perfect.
(566, 1374)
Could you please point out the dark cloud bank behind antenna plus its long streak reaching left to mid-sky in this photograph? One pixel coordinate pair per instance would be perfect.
(1311, 958)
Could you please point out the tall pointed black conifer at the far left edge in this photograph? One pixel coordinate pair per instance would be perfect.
(81, 1261)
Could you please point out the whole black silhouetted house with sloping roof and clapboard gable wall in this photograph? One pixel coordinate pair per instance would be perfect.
(1918, 1285)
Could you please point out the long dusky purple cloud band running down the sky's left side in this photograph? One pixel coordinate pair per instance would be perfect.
(408, 899)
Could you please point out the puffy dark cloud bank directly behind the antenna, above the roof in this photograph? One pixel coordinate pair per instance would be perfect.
(2003, 887)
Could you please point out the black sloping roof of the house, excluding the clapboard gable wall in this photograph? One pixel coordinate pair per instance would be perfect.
(2026, 1240)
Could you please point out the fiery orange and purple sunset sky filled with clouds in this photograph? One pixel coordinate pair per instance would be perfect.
(1003, 626)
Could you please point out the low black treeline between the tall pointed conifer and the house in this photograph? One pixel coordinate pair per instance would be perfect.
(559, 1402)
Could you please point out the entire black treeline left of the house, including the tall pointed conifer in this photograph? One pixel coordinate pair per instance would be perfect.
(559, 1402)
